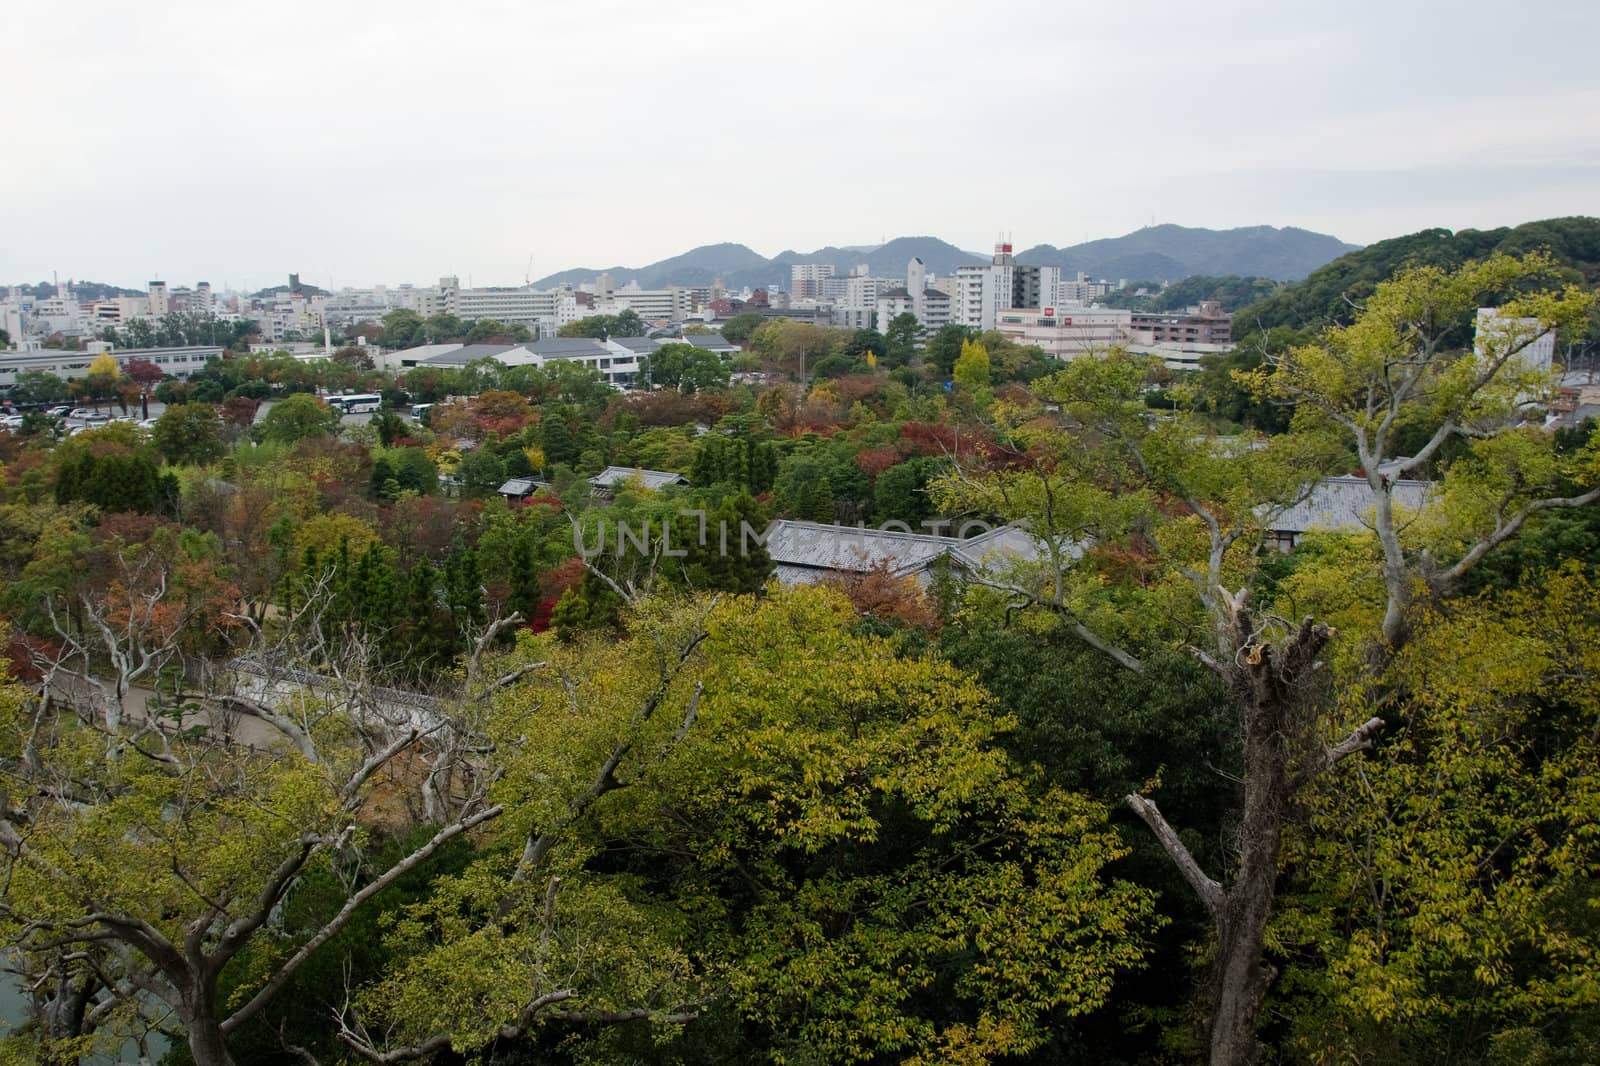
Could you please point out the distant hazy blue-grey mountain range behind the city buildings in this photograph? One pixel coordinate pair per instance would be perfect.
(1156, 254)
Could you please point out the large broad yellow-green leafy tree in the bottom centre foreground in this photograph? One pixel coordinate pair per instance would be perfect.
(764, 755)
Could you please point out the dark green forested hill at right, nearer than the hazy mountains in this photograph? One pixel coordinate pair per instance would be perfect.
(1327, 295)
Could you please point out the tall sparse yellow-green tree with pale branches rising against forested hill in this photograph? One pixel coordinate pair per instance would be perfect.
(1391, 375)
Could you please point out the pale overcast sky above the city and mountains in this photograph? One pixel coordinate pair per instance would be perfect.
(399, 142)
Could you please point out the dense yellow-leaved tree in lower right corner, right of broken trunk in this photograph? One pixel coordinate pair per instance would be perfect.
(1441, 902)
